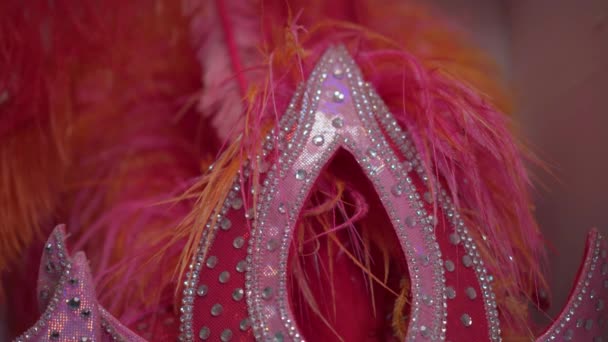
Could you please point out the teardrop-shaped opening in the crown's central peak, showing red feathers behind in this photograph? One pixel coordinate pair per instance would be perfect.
(346, 264)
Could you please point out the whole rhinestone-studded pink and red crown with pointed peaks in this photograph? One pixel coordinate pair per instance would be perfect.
(245, 248)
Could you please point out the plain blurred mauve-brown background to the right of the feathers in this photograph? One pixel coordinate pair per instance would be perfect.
(554, 57)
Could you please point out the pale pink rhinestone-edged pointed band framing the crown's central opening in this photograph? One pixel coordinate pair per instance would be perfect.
(272, 232)
